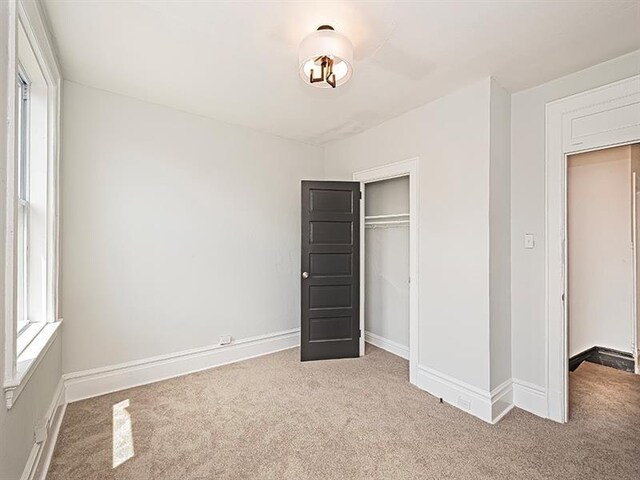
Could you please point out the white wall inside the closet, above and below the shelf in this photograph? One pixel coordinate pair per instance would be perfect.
(387, 262)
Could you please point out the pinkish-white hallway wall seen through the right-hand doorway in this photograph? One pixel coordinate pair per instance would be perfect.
(600, 257)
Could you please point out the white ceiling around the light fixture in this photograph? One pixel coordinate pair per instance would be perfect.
(237, 61)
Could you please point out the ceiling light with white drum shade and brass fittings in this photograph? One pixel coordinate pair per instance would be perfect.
(325, 58)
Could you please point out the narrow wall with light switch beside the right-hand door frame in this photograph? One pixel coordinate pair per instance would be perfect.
(528, 203)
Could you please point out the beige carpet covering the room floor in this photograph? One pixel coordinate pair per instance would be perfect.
(277, 418)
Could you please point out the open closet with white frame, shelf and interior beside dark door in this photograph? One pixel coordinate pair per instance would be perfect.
(389, 260)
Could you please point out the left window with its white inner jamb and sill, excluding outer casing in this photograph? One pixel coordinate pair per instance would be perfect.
(31, 196)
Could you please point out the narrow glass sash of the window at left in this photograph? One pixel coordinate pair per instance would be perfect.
(22, 231)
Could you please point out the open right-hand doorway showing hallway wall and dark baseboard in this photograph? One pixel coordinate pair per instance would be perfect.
(602, 269)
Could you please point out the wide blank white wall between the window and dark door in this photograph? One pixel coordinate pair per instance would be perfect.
(176, 229)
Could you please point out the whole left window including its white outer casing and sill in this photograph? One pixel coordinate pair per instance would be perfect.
(32, 192)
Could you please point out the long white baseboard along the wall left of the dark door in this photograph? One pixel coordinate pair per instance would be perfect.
(99, 381)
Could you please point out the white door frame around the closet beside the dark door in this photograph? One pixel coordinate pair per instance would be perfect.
(399, 169)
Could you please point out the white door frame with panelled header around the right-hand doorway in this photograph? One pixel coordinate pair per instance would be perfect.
(603, 117)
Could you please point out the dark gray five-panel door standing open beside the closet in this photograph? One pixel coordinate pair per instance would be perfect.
(330, 270)
